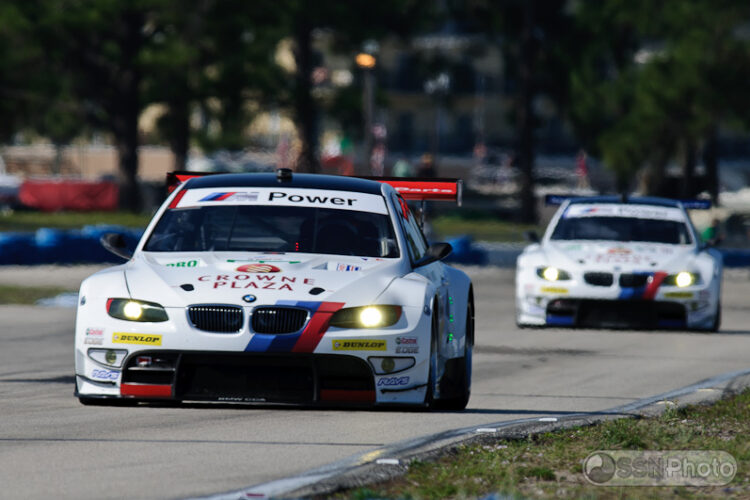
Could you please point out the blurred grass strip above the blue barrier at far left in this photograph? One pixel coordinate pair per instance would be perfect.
(31, 221)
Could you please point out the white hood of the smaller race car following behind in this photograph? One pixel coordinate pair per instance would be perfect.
(619, 256)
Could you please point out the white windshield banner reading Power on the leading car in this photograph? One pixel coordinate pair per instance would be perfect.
(343, 200)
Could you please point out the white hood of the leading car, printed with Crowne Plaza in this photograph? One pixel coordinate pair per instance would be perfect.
(178, 280)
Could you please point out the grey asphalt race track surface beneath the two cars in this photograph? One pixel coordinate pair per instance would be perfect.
(53, 447)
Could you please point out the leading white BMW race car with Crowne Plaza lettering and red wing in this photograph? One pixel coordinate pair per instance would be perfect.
(280, 288)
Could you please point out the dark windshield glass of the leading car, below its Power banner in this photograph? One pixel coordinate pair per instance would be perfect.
(258, 228)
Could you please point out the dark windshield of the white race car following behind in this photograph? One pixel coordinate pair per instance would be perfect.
(622, 229)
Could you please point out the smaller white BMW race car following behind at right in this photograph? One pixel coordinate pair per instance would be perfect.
(615, 262)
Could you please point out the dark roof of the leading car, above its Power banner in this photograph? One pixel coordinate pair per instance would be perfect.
(305, 181)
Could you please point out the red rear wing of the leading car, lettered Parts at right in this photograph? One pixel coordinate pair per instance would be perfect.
(410, 188)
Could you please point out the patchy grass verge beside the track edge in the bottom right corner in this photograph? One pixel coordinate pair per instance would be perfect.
(550, 465)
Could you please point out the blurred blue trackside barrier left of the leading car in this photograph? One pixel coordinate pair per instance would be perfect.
(58, 246)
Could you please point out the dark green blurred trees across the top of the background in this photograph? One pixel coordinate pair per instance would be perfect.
(641, 84)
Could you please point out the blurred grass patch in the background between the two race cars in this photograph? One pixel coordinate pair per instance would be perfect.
(482, 227)
